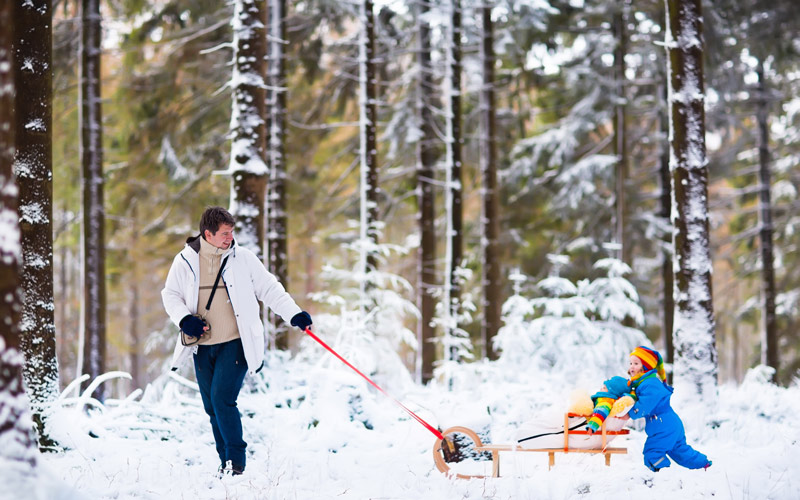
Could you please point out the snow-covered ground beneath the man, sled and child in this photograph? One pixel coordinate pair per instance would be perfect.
(318, 432)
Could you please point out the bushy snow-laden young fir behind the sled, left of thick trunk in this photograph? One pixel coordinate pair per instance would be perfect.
(573, 327)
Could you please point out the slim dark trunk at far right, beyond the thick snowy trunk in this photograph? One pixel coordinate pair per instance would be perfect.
(769, 333)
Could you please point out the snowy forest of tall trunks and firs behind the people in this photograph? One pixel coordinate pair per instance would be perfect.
(439, 184)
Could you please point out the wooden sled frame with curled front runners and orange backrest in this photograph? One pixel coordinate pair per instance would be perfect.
(495, 449)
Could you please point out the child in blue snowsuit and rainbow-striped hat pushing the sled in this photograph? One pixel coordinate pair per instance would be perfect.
(665, 433)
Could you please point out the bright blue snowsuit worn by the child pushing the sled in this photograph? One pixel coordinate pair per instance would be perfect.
(665, 432)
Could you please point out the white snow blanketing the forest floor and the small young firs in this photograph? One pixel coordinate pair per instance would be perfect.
(316, 429)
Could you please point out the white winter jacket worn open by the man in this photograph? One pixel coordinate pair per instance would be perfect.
(246, 280)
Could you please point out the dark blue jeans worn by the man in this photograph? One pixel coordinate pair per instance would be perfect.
(220, 371)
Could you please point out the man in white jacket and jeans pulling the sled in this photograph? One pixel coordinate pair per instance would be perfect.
(226, 336)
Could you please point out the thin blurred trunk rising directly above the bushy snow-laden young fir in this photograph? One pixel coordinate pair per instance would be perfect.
(620, 139)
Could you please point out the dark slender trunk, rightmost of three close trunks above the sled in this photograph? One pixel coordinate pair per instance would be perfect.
(492, 300)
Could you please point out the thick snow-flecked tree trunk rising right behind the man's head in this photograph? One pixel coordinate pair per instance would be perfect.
(247, 167)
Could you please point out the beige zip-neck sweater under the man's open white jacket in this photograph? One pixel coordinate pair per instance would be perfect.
(220, 317)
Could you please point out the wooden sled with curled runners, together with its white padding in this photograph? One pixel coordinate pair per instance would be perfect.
(456, 447)
